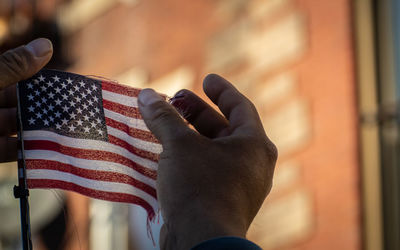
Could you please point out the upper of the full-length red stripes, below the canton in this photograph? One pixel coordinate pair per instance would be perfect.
(88, 154)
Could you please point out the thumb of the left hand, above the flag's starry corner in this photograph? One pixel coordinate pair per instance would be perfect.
(24, 61)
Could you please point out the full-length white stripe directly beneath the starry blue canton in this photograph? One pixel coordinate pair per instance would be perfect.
(87, 144)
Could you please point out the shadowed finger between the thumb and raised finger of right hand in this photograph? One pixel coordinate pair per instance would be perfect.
(206, 120)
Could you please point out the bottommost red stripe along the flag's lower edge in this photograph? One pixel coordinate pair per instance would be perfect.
(103, 195)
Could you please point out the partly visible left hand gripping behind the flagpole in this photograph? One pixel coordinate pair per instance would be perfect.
(16, 65)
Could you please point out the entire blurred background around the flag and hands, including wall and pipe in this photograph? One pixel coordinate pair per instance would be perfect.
(325, 76)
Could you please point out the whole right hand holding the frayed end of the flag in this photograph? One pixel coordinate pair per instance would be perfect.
(211, 182)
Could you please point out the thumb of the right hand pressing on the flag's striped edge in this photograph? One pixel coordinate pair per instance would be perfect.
(160, 117)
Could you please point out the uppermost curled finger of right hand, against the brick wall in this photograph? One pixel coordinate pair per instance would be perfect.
(240, 112)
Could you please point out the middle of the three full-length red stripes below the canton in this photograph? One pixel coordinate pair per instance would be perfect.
(91, 174)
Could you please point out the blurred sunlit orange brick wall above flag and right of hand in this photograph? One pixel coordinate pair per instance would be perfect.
(293, 58)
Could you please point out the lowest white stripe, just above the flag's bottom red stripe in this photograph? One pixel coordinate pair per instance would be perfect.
(91, 184)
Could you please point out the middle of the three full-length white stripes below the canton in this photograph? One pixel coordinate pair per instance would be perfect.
(88, 164)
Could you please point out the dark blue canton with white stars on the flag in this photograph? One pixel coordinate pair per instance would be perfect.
(65, 103)
